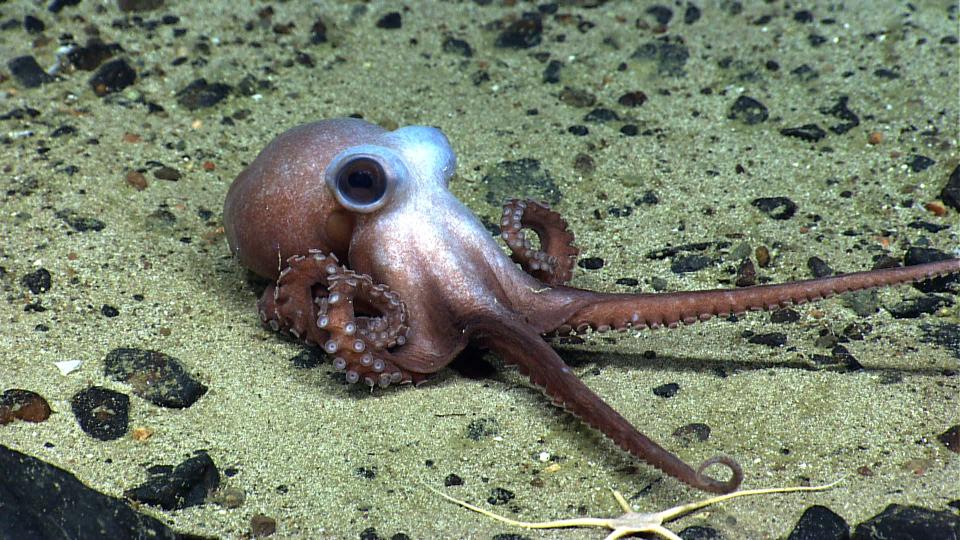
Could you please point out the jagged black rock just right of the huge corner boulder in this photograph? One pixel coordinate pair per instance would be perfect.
(186, 485)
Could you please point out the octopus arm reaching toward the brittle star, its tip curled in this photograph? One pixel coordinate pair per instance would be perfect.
(520, 345)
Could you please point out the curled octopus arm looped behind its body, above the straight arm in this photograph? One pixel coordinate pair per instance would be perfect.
(553, 262)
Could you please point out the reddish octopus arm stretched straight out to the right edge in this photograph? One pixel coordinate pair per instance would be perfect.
(620, 311)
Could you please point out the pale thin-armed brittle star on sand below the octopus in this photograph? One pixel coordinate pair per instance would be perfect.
(631, 522)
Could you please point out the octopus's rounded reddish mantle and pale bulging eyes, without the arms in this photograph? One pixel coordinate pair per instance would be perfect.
(311, 186)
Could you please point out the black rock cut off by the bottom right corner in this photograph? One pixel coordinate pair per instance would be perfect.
(909, 523)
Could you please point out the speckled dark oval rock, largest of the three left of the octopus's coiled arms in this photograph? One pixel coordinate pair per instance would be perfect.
(154, 376)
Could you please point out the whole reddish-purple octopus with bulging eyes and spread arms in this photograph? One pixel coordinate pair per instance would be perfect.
(371, 257)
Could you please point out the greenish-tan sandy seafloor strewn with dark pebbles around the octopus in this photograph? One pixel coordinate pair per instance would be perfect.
(299, 436)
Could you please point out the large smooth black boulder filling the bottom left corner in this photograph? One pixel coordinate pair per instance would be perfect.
(42, 502)
